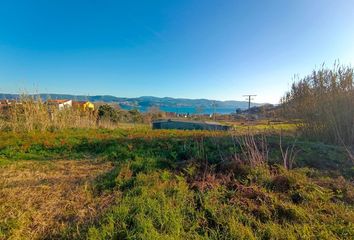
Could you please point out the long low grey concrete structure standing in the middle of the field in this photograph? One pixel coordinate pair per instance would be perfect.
(188, 125)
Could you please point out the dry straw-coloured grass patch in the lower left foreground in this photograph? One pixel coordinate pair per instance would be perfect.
(44, 199)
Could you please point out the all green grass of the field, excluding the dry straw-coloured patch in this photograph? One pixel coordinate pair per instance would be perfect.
(184, 185)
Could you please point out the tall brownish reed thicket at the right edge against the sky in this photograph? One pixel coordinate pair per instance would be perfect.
(324, 102)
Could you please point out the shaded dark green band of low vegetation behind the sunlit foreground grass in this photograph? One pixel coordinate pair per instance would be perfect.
(178, 149)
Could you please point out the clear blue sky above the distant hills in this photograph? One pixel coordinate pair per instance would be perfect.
(186, 48)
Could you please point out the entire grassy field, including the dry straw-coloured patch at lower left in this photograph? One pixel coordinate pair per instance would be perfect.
(135, 183)
